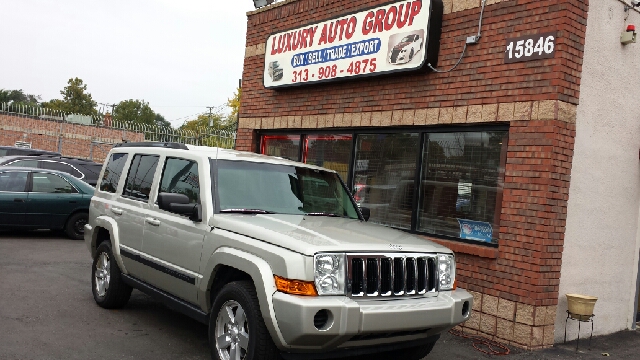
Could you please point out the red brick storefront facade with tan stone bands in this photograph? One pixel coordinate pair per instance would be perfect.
(515, 278)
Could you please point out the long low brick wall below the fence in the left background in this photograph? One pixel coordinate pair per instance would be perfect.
(75, 140)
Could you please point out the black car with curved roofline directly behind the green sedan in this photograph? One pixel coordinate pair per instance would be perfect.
(82, 169)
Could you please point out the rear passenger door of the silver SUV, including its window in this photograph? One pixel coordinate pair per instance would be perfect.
(132, 207)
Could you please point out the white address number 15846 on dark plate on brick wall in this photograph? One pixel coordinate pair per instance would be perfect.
(531, 47)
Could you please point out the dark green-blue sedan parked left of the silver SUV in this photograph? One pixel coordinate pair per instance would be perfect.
(33, 199)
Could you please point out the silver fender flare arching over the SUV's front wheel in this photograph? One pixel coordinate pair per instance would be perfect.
(262, 276)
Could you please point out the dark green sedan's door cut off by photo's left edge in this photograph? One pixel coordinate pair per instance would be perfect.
(13, 197)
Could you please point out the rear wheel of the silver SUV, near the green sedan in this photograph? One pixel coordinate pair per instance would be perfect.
(109, 291)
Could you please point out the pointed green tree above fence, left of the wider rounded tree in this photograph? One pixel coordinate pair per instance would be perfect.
(75, 99)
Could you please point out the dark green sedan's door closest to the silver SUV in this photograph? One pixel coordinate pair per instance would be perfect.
(51, 200)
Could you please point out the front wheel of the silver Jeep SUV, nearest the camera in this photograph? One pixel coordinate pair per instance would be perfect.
(247, 334)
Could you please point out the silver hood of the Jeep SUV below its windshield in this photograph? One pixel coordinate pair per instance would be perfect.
(311, 234)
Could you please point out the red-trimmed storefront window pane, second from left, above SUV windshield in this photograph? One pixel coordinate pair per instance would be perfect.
(329, 151)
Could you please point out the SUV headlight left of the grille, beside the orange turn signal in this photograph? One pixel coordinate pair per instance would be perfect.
(329, 270)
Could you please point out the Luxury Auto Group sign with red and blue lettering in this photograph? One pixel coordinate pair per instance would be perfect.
(390, 38)
